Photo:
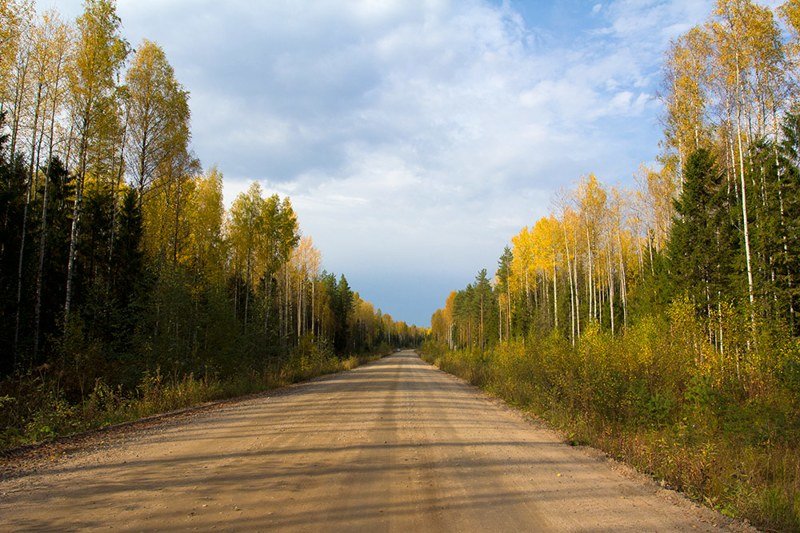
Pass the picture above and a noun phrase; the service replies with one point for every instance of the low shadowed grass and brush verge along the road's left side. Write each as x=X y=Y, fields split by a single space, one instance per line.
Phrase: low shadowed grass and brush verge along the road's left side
x=35 y=409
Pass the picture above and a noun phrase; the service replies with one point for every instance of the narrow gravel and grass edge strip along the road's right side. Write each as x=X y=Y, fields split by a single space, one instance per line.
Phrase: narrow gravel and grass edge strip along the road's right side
x=698 y=509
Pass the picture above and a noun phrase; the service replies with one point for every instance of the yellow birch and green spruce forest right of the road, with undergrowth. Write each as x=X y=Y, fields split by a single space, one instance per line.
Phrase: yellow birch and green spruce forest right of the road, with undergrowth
x=660 y=322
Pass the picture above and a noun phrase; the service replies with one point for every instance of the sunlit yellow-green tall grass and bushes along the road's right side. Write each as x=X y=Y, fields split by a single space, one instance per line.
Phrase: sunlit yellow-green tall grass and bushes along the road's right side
x=722 y=428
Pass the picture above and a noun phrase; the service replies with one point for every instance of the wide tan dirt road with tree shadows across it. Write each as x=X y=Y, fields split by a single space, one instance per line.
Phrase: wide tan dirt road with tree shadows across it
x=395 y=445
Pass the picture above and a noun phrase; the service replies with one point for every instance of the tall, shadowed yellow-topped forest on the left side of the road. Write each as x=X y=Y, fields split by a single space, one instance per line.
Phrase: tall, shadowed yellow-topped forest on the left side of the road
x=126 y=285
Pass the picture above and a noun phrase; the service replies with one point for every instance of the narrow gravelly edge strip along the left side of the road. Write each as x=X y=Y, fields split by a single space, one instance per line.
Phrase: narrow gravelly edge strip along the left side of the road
x=25 y=460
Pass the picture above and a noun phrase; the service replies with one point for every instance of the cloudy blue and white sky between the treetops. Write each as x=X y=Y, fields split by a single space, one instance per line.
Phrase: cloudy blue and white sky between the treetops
x=415 y=138
